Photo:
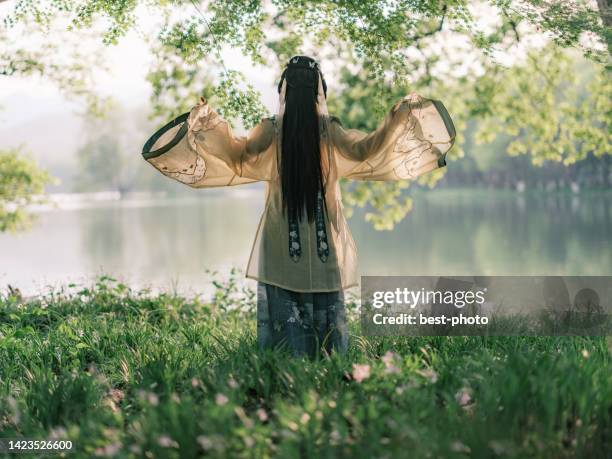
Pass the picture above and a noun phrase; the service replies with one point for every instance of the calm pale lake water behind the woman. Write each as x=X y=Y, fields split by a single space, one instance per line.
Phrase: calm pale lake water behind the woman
x=170 y=243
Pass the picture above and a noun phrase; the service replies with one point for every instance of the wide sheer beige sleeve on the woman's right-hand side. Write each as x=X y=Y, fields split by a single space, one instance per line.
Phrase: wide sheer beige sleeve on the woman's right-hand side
x=412 y=140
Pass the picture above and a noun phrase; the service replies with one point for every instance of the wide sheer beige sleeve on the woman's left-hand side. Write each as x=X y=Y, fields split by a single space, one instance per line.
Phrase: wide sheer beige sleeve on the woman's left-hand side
x=199 y=149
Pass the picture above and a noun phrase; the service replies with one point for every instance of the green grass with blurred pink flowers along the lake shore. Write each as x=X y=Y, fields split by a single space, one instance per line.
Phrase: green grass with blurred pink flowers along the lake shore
x=131 y=374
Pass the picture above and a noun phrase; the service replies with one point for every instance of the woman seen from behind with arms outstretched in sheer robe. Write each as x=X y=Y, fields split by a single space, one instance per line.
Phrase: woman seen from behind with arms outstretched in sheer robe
x=303 y=256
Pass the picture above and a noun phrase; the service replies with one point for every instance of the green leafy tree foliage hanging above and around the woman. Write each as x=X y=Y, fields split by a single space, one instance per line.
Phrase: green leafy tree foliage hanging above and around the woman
x=499 y=63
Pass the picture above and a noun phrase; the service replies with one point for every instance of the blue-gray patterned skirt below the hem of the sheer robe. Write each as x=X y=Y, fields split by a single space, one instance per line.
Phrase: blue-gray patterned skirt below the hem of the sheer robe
x=303 y=323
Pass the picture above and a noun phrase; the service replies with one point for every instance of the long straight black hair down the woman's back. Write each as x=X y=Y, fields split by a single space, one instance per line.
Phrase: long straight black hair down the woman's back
x=300 y=162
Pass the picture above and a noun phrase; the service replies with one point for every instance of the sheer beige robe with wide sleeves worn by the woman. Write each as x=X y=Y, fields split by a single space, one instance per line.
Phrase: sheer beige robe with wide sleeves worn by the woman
x=199 y=150
